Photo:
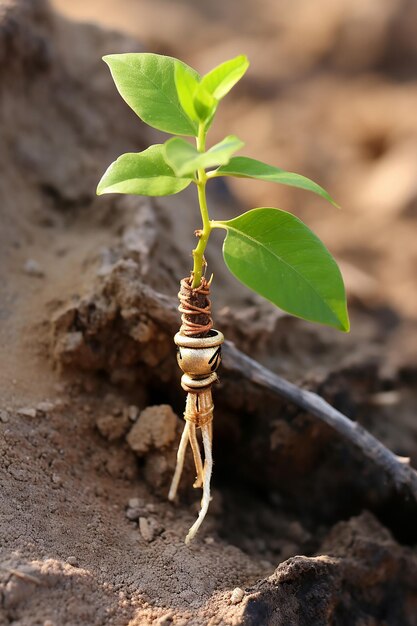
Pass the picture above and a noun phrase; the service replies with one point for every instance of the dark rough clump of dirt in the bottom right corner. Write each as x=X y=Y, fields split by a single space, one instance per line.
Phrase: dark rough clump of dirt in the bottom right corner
x=308 y=590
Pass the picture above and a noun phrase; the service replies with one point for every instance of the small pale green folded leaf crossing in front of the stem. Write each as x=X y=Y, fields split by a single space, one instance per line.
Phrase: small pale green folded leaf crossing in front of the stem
x=185 y=159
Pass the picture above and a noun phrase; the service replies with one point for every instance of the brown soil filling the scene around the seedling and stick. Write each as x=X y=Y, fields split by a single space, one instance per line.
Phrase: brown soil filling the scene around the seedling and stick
x=300 y=531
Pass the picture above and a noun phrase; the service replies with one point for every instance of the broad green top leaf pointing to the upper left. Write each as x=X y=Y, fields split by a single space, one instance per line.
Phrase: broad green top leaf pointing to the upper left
x=147 y=83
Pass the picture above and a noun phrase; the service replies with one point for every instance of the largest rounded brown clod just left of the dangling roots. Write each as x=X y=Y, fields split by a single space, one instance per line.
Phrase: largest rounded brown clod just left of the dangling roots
x=155 y=429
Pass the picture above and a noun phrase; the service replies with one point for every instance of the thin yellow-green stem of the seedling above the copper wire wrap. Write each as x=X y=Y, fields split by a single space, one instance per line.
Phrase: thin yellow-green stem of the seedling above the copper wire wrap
x=198 y=252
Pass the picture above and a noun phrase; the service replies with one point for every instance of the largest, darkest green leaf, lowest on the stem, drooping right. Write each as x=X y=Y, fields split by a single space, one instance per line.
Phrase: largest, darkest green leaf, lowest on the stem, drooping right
x=276 y=255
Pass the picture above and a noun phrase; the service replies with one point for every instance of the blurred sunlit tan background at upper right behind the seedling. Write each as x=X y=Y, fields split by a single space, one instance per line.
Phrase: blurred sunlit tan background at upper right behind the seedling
x=331 y=93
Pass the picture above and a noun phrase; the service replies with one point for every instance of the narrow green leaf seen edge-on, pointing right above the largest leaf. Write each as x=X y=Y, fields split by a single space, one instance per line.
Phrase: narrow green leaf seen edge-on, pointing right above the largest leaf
x=245 y=167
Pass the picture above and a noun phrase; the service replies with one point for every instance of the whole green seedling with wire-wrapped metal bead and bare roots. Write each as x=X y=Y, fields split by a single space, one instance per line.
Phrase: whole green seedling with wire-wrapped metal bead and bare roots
x=269 y=250
